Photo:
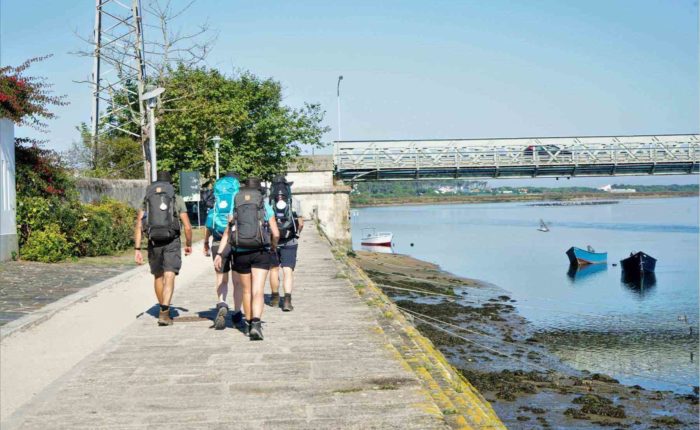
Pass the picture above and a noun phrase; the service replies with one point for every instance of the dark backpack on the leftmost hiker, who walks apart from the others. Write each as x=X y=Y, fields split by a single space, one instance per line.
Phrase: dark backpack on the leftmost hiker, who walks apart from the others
x=162 y=224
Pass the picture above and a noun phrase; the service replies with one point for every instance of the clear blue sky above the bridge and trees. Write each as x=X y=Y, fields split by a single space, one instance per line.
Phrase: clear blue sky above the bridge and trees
x=423 y=69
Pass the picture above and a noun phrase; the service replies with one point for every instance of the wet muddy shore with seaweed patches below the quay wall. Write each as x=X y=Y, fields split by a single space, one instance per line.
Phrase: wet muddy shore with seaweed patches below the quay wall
x=478 y=329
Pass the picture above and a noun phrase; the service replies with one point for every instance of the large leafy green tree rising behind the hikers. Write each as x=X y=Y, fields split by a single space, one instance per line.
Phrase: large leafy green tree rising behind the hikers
x=260 y=135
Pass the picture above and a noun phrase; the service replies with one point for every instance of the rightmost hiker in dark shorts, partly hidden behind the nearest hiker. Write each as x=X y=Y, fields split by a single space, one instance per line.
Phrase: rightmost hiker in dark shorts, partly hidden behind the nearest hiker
x=290 y=225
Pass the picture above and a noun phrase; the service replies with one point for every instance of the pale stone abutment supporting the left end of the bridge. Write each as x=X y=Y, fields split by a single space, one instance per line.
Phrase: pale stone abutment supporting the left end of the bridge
x=321 y=197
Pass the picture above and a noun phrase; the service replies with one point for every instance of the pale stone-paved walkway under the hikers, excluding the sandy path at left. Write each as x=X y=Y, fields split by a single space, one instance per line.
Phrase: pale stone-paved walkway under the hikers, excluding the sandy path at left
x=325 y=365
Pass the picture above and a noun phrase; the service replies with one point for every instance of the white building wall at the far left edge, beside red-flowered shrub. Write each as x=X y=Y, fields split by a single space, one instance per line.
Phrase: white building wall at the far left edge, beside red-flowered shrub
x=8 y=205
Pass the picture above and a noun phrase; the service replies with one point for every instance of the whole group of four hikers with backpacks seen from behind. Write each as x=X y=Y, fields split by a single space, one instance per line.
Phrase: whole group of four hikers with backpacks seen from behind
x=253 y=230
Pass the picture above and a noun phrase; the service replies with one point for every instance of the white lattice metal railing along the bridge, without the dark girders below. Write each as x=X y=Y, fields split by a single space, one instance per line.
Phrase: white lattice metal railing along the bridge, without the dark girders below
x=517 y=152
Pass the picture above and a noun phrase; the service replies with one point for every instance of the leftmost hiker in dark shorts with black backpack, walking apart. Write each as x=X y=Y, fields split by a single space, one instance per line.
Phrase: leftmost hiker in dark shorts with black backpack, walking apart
x=165 y=215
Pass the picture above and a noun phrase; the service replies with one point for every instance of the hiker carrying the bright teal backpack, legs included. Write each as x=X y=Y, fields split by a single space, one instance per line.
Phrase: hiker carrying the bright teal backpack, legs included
x=217 y=219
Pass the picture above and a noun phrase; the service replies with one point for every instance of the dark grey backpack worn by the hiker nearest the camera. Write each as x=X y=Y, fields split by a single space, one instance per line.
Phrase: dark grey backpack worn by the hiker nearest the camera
x=250 y=230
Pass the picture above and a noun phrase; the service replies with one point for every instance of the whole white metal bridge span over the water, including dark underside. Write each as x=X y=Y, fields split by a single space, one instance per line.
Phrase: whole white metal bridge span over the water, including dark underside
x=517 y=158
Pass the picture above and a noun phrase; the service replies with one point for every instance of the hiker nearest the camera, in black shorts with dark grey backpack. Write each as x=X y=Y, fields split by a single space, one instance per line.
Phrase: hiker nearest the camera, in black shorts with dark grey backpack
x=252 y=233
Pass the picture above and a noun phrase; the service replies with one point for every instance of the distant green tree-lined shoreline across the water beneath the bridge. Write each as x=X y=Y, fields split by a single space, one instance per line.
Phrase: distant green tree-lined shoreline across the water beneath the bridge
x=505 y=198
